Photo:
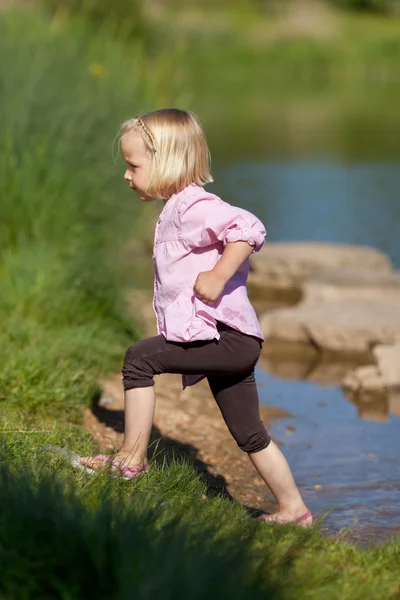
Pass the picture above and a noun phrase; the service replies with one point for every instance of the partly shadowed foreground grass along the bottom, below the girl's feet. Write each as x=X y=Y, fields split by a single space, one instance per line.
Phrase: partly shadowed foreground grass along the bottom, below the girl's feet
x=68 y=535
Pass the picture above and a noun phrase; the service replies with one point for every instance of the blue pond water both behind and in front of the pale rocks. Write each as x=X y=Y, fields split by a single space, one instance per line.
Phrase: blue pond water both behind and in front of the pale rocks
x=351 y=453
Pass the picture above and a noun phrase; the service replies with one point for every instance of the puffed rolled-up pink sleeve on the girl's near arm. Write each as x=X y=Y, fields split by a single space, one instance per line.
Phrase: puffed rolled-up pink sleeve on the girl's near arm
x=208 y=221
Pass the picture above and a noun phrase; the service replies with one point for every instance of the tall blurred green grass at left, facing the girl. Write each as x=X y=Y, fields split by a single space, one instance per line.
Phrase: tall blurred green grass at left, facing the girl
x=64 y=213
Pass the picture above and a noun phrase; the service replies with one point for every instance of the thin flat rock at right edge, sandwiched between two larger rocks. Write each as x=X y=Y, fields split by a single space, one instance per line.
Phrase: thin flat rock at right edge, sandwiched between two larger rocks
x=338 y=285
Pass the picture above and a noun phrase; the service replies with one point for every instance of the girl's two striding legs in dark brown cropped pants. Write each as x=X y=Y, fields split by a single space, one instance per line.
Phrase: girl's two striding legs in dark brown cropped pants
x=223 y=362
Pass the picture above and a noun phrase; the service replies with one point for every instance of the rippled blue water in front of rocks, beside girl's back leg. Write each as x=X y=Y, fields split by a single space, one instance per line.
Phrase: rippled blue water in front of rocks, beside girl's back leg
x=340 y=462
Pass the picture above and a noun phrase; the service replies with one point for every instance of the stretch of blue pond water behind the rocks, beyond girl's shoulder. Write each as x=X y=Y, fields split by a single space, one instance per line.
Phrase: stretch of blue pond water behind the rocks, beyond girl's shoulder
x=320 y=201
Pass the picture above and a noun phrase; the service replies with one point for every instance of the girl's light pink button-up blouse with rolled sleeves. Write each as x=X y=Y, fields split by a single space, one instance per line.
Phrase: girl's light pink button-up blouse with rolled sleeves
x=190 y=237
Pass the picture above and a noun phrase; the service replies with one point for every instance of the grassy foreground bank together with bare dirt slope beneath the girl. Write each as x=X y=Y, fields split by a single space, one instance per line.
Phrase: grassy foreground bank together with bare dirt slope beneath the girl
x=189 y=508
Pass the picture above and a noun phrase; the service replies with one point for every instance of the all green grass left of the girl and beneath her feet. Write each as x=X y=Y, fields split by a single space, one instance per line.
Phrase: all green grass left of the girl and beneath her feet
x=64 y=225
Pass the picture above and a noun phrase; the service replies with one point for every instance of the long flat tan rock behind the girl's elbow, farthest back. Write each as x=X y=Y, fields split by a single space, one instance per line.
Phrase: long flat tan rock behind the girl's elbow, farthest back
x=287 y=265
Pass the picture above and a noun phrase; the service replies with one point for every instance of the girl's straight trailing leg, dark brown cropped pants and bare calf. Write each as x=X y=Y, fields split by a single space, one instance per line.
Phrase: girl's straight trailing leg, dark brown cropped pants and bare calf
x=237 y=398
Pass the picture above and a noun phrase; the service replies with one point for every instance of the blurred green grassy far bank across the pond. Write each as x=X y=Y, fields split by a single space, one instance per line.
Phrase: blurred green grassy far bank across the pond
x=287 y=86
